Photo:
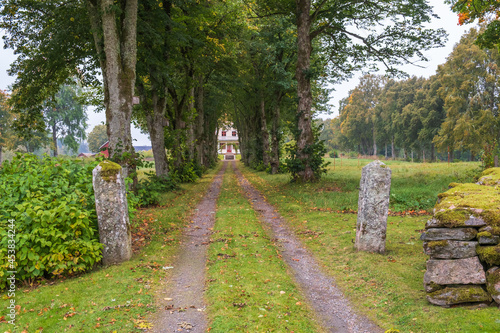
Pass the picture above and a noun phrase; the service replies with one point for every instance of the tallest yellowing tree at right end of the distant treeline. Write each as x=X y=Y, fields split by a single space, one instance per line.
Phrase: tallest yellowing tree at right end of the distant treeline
x=469 y=87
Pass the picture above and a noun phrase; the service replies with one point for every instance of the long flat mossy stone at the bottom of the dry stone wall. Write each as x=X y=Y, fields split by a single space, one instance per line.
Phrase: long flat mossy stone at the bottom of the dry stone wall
x=457 y=295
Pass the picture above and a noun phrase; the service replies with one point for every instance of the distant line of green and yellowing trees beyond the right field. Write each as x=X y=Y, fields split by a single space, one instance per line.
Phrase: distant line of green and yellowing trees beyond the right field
x=455 y=110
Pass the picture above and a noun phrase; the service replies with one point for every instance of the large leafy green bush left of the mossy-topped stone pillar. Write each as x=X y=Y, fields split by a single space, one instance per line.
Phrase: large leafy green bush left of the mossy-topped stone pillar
x=52 y=203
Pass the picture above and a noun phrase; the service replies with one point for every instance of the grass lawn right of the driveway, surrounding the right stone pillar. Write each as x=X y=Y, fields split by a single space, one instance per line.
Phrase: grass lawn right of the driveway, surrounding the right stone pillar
x=388 y=288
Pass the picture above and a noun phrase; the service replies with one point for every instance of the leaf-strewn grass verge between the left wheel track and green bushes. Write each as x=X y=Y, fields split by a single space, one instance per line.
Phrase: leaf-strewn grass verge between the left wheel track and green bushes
x=116 y=298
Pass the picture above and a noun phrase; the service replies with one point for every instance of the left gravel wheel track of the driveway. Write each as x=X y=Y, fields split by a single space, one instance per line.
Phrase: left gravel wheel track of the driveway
x=185 y=312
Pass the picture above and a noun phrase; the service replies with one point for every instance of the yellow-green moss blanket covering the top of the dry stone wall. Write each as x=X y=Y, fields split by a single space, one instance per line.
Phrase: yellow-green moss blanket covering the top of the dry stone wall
x=459 y=203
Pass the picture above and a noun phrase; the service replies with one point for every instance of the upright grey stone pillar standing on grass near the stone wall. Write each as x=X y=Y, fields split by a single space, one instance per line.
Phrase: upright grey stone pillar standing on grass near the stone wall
x=373 y=207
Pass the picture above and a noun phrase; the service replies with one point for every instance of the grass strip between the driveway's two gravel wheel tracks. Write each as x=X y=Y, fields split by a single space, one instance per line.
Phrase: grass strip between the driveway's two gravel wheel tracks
x=249 y=288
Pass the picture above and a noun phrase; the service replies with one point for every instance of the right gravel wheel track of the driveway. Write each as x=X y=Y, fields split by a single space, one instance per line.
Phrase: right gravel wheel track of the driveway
x=333 y=310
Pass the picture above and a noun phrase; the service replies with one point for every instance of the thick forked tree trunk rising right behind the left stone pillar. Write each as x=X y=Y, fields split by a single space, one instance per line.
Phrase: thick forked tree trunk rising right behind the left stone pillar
x=115 y=39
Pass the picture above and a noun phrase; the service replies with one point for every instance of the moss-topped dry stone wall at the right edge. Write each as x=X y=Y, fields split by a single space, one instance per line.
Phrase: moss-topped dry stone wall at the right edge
x=463 y=242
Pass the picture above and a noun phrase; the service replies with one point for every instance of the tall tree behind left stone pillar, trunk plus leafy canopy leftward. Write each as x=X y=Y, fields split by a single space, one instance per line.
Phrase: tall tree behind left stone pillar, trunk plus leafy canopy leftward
x=53 y=42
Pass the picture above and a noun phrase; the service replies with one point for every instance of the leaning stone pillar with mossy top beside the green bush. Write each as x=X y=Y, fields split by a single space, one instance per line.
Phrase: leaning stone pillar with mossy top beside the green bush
x=112 y=212
